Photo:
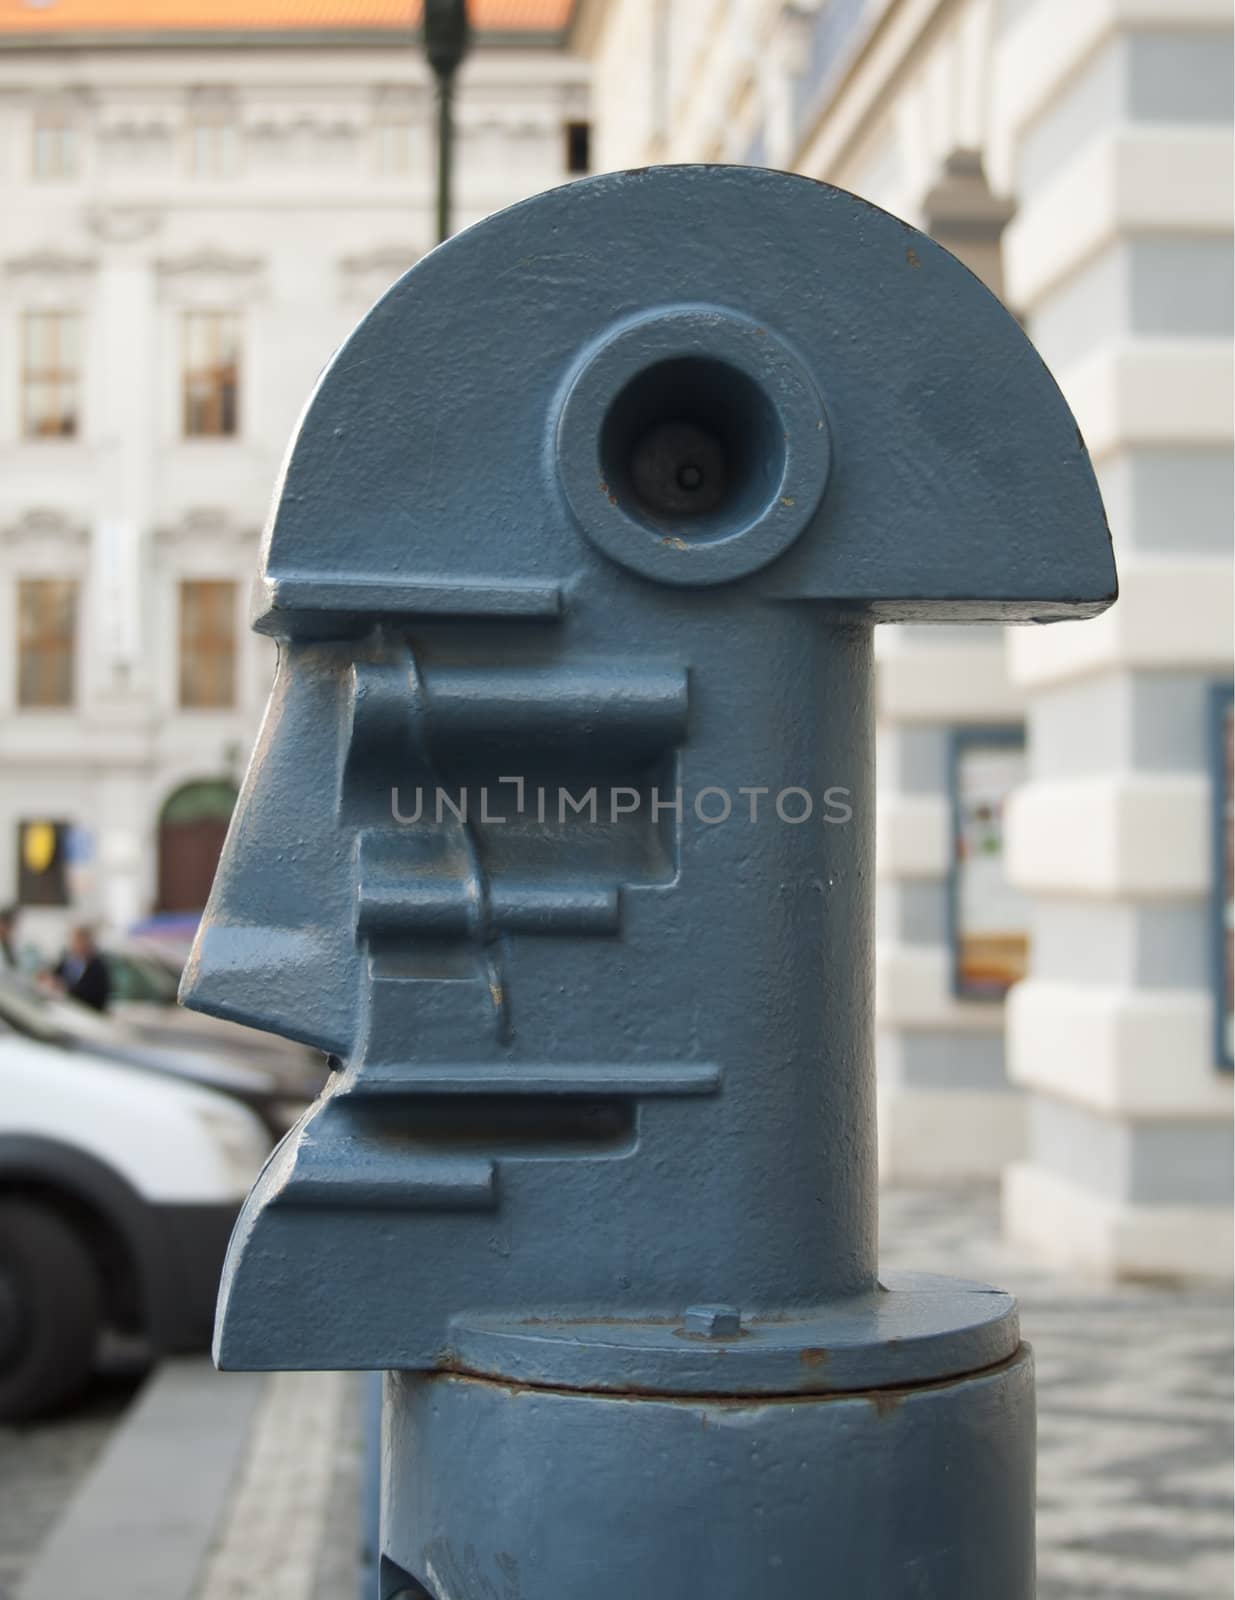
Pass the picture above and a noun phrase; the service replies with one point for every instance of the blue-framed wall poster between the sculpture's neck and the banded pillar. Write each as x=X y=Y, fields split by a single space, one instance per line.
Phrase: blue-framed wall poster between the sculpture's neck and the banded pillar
x=989 y=916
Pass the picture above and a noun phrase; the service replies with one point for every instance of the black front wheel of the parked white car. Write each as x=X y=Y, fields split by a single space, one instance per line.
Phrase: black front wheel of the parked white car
x=50 y=1311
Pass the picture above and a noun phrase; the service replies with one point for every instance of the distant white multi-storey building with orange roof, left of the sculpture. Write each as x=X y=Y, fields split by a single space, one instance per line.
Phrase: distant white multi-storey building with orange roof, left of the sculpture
x=199 y=201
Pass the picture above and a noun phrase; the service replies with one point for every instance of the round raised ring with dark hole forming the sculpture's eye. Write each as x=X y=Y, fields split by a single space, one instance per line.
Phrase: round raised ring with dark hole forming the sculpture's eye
x=693 y=447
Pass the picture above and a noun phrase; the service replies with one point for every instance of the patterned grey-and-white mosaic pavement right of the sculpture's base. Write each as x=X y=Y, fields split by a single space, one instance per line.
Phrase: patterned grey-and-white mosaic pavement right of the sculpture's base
x=1135 y=1410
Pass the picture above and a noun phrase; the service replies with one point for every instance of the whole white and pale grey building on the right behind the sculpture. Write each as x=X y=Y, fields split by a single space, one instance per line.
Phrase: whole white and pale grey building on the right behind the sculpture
x=1077 y=154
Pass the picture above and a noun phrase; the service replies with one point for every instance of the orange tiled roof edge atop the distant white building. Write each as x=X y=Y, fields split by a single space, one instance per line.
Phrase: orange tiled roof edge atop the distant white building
x=238 y=17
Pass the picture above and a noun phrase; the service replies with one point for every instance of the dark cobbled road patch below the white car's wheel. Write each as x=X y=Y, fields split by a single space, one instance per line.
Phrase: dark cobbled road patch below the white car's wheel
x=42 y=1465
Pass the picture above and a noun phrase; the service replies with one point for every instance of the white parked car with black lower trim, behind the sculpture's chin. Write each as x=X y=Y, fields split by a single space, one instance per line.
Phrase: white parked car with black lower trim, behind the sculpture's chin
x=119 y=1188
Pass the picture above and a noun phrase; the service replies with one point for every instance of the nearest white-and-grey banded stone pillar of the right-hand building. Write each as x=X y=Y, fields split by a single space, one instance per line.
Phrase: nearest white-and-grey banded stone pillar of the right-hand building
x=1114 y=127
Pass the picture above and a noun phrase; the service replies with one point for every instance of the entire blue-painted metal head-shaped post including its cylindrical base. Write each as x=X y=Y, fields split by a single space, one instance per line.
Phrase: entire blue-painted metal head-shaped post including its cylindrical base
x=559 y=836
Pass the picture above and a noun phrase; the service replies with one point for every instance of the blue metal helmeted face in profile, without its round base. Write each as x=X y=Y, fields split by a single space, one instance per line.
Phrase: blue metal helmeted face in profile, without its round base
x=604 y=500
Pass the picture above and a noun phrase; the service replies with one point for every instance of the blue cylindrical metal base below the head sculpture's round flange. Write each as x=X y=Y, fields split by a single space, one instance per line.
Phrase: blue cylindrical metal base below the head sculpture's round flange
x=495 y=1492
